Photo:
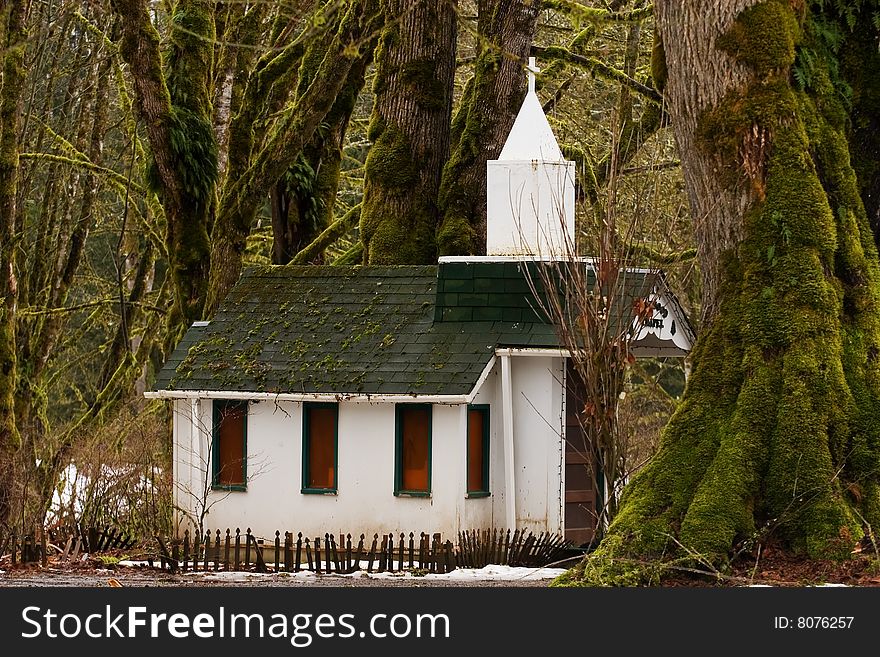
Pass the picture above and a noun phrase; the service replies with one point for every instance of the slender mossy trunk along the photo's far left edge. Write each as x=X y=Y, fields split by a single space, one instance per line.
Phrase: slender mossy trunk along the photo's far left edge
x=13 y=38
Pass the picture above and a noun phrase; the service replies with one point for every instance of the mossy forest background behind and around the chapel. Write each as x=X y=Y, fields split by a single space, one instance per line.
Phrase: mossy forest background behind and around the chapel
x=150 y=150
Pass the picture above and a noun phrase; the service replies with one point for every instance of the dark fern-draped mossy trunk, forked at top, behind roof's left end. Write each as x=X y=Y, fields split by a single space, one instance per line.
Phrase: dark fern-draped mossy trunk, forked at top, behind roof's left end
x=174 y=102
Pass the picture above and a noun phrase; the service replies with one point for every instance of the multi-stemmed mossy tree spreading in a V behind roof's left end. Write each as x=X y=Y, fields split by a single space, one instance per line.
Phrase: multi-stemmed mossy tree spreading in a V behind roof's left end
x=208 y=220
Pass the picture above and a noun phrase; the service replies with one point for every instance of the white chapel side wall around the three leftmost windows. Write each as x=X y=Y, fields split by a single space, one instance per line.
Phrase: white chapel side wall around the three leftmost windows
x=365 y=500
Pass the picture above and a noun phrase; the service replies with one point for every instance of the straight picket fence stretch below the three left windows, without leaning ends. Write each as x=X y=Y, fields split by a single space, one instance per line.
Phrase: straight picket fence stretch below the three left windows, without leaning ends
x=244 y=552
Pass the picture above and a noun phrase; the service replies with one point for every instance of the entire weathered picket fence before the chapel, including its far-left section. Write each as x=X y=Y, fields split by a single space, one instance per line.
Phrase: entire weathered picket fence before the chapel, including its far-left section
x=213 y=551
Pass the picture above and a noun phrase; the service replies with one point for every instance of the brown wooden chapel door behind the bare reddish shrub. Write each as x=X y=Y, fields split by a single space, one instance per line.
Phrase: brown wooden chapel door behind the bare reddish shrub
x=580 y=475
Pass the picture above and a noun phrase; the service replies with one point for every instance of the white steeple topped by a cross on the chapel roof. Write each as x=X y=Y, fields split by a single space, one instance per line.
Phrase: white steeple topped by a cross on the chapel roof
x=530 y=187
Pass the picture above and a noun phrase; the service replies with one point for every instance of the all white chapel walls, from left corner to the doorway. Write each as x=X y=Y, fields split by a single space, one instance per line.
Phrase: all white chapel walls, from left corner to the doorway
x=365 y=500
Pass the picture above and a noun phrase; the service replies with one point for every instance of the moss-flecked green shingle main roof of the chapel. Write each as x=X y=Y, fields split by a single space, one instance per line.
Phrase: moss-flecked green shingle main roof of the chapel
x=356 y=330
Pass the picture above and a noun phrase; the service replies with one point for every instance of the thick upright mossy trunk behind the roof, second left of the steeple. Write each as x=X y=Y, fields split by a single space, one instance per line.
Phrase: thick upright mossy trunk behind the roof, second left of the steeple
x=409 y=132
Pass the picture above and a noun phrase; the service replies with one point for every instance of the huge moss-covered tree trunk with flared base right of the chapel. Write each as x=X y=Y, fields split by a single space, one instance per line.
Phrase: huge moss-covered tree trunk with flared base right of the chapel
x=777 y=431
